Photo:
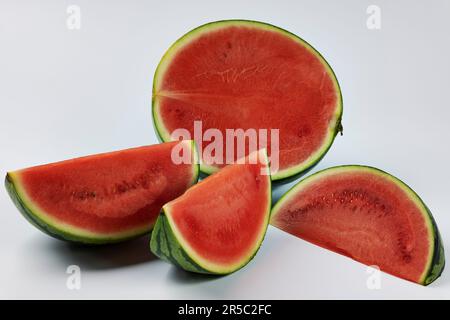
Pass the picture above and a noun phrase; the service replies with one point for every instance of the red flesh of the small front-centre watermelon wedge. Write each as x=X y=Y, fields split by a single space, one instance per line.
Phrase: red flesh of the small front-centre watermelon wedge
x=223 y=217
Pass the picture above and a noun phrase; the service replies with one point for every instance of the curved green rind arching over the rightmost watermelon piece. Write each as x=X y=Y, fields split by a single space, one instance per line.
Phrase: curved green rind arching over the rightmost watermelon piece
x=436 y=258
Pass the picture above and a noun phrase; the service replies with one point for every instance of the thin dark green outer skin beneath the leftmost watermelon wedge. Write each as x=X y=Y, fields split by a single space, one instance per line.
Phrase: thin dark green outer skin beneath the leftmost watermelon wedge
x=53 y=231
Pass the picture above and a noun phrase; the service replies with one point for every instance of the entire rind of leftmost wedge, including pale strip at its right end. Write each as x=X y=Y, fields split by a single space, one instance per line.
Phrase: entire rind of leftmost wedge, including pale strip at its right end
x=66 y=232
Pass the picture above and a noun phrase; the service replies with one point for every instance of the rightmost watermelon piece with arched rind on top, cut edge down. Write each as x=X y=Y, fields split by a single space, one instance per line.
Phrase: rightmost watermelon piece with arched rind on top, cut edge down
x=367 y=215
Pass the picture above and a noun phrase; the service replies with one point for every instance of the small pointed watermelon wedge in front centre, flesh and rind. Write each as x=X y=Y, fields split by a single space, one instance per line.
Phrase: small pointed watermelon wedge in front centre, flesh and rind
x=217 y=226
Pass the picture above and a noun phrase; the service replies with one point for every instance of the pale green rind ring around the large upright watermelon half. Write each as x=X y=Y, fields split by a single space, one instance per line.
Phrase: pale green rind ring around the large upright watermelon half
x=282 y=175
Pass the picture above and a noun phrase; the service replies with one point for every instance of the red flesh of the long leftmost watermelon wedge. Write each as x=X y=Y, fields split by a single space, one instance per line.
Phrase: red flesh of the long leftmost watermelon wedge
x=109 y=192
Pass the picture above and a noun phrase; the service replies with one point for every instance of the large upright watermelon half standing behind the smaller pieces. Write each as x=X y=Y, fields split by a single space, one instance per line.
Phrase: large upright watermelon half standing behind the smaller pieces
x=239 y=74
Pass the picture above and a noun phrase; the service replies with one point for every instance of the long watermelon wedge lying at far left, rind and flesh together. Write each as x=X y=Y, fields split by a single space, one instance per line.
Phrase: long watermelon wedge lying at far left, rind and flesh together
x=102 y=198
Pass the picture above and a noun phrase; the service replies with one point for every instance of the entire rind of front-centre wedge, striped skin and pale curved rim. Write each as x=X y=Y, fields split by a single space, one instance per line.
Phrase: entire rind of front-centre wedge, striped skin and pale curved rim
x=166 y=245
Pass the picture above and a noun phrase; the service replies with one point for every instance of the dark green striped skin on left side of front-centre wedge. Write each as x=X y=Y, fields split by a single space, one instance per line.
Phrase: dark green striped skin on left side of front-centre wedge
x=164 y=245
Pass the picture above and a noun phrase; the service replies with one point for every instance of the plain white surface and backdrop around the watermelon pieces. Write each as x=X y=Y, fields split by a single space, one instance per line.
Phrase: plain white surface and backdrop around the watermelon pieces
x=71 y=93
